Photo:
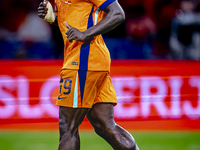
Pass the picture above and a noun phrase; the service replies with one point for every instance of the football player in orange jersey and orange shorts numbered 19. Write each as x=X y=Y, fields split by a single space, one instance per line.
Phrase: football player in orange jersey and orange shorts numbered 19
x=85 y=87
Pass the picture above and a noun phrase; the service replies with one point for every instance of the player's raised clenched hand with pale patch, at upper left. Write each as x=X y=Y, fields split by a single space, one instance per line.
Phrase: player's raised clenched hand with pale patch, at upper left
x=45 y=11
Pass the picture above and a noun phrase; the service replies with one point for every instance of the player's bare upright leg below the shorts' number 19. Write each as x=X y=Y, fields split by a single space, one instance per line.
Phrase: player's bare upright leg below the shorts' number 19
x=69 y=121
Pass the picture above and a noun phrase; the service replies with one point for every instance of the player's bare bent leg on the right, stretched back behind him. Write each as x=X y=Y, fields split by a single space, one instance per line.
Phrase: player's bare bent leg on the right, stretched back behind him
x=102 y=119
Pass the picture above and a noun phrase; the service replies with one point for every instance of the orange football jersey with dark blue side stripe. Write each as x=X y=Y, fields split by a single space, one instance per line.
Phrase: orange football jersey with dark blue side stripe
x=89 y=55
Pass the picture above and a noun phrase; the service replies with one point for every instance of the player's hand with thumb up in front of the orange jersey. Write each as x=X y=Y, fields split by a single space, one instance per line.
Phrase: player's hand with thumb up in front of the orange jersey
x=74 y=34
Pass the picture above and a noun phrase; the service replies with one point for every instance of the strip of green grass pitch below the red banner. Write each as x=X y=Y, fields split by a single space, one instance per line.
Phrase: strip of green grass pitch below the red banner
x=90 y=141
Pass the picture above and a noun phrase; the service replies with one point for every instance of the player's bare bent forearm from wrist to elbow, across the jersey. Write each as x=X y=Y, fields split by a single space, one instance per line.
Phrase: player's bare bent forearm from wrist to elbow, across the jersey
x=114 y=17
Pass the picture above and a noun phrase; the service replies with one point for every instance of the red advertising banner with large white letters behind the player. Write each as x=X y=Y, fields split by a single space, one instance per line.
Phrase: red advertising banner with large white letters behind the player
x=152 y=94
